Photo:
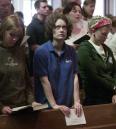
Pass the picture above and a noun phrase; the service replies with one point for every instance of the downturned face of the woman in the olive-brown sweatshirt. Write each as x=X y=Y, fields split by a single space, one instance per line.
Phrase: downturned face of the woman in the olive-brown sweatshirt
x=11 y=37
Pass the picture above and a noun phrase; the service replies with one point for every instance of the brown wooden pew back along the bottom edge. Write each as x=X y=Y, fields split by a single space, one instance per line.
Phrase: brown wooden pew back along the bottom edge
x=97 y=117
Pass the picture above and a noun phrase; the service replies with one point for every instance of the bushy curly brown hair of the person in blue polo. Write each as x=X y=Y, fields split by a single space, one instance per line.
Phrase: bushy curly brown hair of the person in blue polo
x=50 y=24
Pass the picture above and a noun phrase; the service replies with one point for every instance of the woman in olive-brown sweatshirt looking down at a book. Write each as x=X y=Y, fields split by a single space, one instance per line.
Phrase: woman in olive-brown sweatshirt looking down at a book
x=15 y=86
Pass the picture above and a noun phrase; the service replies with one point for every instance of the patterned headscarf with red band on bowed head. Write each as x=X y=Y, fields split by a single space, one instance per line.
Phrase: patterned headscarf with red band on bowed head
x=97 y=22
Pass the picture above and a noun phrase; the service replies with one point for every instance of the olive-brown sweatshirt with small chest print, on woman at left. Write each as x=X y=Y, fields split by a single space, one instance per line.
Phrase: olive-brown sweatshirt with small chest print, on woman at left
x=15 y=86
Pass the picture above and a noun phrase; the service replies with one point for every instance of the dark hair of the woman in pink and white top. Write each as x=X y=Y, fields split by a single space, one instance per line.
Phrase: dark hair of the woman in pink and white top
x=69 y=7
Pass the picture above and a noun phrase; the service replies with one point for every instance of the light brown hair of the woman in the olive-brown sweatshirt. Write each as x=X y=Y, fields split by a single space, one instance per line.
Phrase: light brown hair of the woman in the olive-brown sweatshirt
x=9 y=23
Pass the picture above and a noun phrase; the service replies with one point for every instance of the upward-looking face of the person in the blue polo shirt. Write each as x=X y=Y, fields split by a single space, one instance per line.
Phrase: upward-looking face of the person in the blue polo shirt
x=60 y=30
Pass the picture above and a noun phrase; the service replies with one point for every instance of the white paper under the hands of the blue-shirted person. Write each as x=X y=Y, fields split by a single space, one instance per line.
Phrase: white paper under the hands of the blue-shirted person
x=73 y=119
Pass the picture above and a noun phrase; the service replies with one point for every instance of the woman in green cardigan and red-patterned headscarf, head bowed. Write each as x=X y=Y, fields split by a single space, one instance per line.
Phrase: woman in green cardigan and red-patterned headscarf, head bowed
x=97 y=64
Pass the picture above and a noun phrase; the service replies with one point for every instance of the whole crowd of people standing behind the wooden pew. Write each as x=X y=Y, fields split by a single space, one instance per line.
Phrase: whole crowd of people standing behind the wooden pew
x=48 y=66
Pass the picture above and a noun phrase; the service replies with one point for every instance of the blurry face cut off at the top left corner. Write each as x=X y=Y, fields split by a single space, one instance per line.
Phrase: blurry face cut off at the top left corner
x=5 y=8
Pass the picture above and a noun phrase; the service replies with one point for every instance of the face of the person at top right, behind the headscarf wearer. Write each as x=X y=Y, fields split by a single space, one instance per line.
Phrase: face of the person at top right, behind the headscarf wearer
x=90 y=9
